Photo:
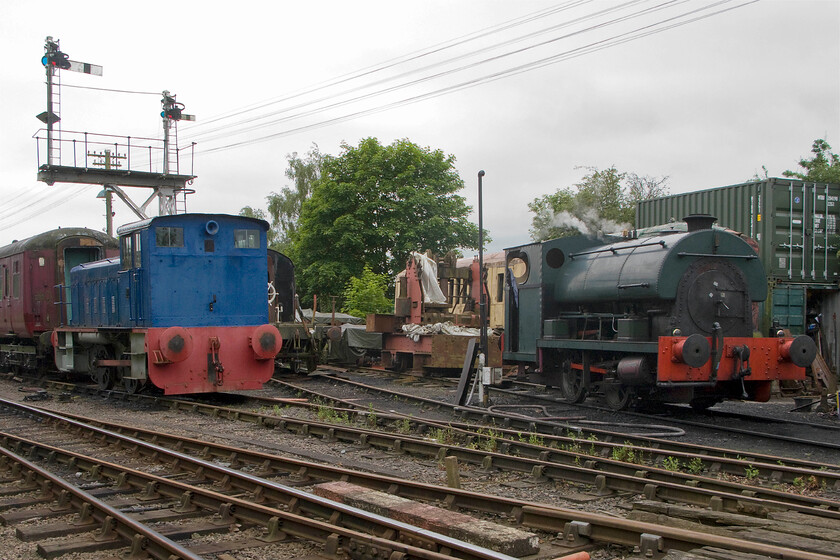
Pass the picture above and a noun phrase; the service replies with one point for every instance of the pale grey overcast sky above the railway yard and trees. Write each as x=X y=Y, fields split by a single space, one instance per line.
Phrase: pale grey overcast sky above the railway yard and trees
x=521 y=89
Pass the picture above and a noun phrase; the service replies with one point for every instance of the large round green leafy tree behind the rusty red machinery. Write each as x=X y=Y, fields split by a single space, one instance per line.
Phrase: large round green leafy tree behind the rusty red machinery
x=373 y=205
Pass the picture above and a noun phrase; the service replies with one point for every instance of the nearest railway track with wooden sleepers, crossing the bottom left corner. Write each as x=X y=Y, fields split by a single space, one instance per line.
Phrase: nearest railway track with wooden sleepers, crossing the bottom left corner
x=236 y=498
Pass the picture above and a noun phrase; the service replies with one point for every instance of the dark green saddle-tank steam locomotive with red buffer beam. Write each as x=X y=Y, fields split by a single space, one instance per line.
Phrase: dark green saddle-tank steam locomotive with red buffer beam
x=660 y=318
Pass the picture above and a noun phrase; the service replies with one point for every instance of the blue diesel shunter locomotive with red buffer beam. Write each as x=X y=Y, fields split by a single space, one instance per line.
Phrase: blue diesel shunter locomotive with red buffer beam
x=183 y=307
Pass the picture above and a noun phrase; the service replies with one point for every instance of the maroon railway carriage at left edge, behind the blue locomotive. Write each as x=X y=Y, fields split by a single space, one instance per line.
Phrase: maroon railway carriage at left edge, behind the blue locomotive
x=30 y=270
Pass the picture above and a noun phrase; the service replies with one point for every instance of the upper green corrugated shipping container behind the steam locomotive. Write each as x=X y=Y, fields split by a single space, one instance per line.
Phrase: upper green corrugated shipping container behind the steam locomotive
x=794 y=222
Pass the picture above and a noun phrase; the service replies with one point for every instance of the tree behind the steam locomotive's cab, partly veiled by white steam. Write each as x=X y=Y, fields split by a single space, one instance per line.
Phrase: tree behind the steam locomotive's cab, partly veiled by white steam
x=605 y=201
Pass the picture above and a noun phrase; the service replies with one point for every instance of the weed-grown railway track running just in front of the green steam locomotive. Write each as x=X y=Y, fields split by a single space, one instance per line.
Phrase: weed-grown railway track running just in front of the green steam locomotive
x=572 y=457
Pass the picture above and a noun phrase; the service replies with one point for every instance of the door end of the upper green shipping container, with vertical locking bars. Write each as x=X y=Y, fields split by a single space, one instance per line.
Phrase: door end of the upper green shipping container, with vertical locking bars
x=805 y=240
